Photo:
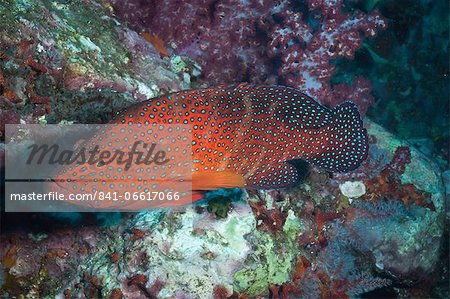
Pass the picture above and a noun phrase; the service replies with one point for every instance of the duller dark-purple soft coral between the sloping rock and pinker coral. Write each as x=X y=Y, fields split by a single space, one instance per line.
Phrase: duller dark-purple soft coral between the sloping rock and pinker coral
x=225 y=37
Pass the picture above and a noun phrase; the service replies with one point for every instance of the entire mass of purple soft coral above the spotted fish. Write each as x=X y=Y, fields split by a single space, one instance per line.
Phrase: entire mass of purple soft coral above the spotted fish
x=238 y=41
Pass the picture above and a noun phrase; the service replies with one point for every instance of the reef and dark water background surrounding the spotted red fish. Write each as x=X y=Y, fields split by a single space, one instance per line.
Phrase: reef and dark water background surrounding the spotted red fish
x=380 y=231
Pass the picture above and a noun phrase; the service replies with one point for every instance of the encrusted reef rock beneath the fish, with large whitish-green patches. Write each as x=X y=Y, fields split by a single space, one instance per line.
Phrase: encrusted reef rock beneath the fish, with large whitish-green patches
x=309 y=241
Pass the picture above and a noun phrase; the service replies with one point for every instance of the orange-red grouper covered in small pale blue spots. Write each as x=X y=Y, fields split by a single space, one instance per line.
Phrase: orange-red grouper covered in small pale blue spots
x=245 y=136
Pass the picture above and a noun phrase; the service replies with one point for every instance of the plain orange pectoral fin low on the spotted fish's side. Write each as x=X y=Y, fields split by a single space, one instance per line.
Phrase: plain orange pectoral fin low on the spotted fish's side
x=216 y=180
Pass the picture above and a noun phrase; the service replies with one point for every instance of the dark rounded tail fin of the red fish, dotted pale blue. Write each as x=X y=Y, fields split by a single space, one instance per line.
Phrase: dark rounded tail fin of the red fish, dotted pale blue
x=345 y=144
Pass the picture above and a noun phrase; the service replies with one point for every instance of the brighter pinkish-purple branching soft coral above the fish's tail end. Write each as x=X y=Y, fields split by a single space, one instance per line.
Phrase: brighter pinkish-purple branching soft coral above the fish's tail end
x=308 y=44
